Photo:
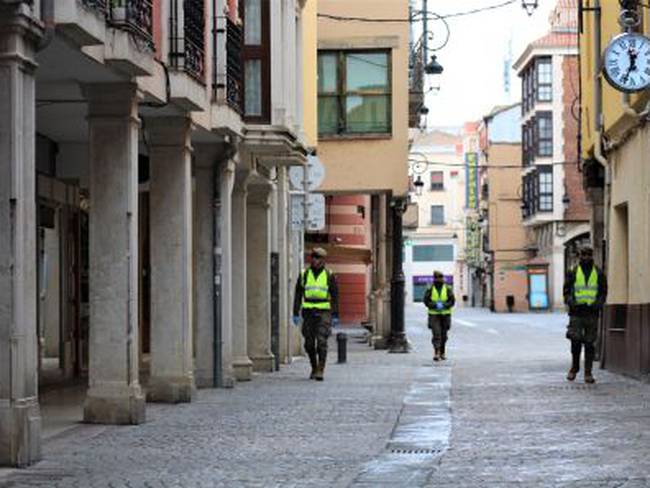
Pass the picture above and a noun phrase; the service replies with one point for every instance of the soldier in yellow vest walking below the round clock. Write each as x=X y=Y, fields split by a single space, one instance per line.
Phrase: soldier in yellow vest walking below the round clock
x=585 y=292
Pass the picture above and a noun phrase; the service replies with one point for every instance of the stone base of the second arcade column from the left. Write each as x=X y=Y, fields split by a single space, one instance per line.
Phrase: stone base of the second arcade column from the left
x=114 y=406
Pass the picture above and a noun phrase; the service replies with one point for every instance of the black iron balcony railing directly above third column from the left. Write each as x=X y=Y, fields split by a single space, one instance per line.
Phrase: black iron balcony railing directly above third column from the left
x=187 y=41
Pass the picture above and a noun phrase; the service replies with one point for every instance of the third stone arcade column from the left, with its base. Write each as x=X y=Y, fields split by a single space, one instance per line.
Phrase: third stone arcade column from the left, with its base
x=172 y=362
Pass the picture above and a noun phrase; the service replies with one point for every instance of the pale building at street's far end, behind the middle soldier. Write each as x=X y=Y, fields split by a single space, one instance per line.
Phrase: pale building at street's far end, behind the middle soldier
x=438 y=191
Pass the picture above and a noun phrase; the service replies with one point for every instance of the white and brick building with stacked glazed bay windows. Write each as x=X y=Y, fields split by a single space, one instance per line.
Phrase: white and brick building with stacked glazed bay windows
x=554 y=204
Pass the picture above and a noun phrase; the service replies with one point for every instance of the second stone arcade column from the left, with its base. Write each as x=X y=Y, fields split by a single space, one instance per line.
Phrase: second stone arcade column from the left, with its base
x=114 y=394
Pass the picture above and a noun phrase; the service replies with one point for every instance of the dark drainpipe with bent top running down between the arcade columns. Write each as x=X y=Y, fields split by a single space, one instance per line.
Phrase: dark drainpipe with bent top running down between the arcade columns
x=228 y=153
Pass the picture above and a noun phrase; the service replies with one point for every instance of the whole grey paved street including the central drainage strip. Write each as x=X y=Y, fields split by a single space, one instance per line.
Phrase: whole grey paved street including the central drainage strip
x=498 y=413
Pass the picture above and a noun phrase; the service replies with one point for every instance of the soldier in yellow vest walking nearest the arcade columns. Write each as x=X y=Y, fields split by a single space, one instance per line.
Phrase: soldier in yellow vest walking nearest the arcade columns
x=317 y=295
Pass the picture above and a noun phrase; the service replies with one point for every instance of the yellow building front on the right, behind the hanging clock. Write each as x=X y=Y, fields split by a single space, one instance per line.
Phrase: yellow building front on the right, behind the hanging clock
x=615 y=159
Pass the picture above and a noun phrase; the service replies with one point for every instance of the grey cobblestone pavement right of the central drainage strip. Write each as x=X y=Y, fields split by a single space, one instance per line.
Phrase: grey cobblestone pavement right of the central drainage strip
x=518 y=422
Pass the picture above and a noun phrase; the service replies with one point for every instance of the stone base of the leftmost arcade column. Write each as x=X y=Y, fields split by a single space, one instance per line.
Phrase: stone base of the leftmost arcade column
x=20 y=433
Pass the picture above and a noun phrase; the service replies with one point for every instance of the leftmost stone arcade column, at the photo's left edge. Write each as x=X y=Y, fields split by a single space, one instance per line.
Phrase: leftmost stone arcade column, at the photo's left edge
x=20 y=419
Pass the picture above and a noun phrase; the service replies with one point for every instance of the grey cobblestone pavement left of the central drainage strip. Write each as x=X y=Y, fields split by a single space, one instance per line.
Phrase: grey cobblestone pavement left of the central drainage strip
x=278 y=430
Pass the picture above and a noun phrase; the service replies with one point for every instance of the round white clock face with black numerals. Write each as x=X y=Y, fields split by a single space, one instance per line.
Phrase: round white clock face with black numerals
x=627 y=62
